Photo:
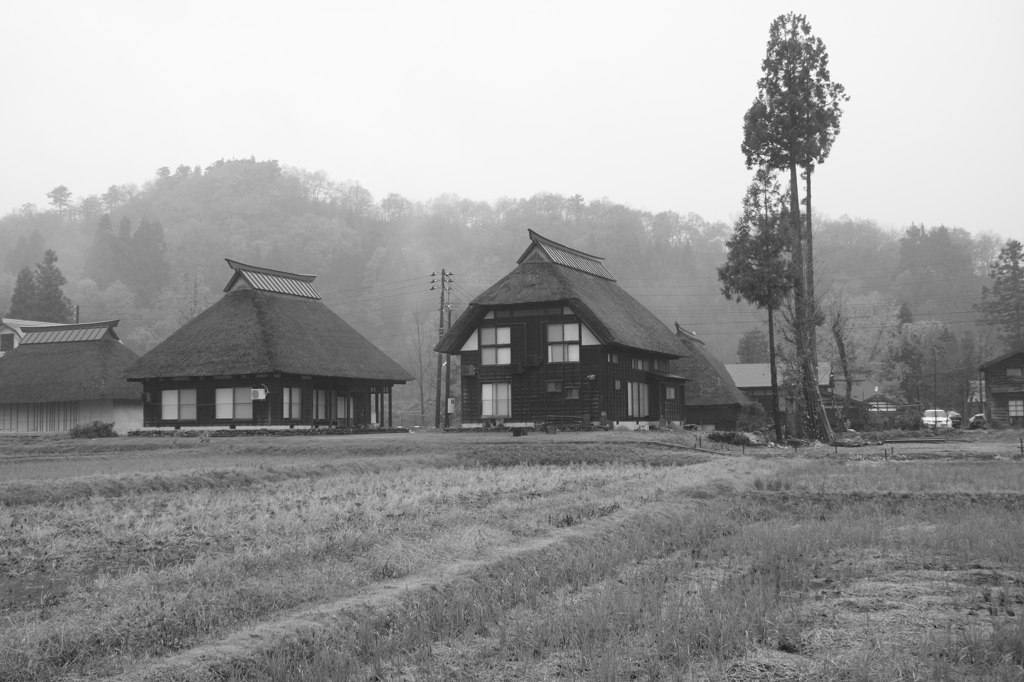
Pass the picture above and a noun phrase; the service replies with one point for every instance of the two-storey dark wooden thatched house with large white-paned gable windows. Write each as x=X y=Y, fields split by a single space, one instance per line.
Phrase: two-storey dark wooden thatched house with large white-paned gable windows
x=558 y=342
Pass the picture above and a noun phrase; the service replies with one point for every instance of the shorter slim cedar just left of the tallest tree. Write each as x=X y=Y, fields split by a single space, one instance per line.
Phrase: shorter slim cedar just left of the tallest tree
x=757 y=268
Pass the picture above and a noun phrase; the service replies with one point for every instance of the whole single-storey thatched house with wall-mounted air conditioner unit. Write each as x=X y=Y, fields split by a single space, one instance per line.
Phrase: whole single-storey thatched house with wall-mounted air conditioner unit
x=268 y=355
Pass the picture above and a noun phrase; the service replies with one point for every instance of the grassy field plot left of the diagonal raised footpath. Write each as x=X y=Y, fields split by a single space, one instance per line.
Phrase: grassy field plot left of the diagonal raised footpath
x=177 y=570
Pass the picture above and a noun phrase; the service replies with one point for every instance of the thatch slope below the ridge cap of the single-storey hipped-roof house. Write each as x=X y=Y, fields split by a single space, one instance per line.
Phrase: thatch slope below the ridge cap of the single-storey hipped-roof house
x=257 y=332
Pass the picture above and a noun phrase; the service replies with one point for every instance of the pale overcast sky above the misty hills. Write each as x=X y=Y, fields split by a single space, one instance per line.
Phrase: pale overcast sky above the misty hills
x=641 y=103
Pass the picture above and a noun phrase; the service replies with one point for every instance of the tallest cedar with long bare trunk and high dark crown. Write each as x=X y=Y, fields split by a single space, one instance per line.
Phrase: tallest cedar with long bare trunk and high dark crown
x=793 y=123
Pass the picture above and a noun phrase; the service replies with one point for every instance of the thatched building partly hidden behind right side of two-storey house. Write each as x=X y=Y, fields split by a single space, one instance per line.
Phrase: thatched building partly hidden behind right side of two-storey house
x=713 y=402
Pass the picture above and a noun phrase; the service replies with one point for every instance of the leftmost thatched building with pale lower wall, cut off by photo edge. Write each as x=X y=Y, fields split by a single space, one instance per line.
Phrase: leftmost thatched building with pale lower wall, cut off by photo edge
x=62 y=376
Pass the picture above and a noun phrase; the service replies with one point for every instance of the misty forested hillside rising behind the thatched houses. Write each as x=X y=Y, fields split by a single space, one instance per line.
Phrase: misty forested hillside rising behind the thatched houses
x=154 y=257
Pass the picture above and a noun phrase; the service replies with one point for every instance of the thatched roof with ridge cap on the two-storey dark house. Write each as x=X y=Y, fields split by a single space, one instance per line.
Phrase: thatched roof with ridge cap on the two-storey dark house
x=550 y=273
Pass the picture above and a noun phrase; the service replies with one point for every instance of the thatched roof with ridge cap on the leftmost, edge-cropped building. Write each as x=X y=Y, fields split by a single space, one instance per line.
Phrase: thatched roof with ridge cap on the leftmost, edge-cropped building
x=54 y=371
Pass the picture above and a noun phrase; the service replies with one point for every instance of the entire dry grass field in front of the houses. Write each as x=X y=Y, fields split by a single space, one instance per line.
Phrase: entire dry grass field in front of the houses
x=573 y=557
